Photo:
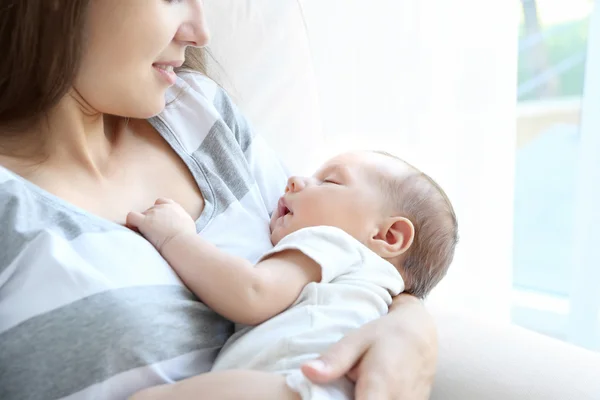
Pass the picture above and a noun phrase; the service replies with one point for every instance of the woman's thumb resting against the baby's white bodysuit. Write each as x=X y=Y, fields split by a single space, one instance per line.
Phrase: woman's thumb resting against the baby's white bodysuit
x=339 y=360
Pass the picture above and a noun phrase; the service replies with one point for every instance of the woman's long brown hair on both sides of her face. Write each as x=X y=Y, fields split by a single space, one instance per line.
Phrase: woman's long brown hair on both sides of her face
x=41 y=42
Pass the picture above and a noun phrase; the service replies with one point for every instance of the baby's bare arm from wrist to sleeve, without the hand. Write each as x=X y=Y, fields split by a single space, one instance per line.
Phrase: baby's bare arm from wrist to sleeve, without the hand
x=234 y=287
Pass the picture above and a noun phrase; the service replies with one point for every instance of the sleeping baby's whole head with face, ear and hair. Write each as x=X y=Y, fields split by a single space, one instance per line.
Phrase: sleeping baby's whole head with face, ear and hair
x=391 y=207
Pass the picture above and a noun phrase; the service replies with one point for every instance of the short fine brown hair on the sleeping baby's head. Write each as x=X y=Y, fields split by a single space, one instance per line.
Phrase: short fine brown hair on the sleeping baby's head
x=420 y=199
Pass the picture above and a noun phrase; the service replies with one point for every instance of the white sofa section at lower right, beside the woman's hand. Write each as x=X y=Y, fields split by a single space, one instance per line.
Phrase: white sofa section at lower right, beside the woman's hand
x=484 y=360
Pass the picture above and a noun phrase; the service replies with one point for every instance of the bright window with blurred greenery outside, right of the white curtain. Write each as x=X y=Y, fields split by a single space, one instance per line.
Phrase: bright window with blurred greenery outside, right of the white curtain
x=556 y=283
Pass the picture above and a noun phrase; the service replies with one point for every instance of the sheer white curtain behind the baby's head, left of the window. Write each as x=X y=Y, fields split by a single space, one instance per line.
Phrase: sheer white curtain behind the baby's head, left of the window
x=433 y=81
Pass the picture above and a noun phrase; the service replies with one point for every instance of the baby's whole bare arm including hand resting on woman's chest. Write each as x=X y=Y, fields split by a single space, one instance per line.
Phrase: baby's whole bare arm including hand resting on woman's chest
x=232 y=286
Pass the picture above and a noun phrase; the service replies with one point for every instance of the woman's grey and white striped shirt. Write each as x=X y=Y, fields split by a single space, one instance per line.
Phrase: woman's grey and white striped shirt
x=89 y=309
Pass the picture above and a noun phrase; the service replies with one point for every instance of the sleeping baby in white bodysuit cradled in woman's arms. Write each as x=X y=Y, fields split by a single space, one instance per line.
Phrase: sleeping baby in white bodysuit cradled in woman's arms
x=364 y=228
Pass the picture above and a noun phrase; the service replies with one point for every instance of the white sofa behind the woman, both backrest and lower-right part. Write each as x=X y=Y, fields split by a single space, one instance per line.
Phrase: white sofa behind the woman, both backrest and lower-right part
x=266 y=62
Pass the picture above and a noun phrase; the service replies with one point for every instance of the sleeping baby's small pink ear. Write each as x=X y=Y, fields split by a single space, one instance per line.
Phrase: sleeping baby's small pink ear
x=394 y=237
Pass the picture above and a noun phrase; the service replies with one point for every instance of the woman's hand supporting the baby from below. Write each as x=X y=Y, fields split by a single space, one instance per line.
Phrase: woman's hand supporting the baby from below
x=391 y=358
